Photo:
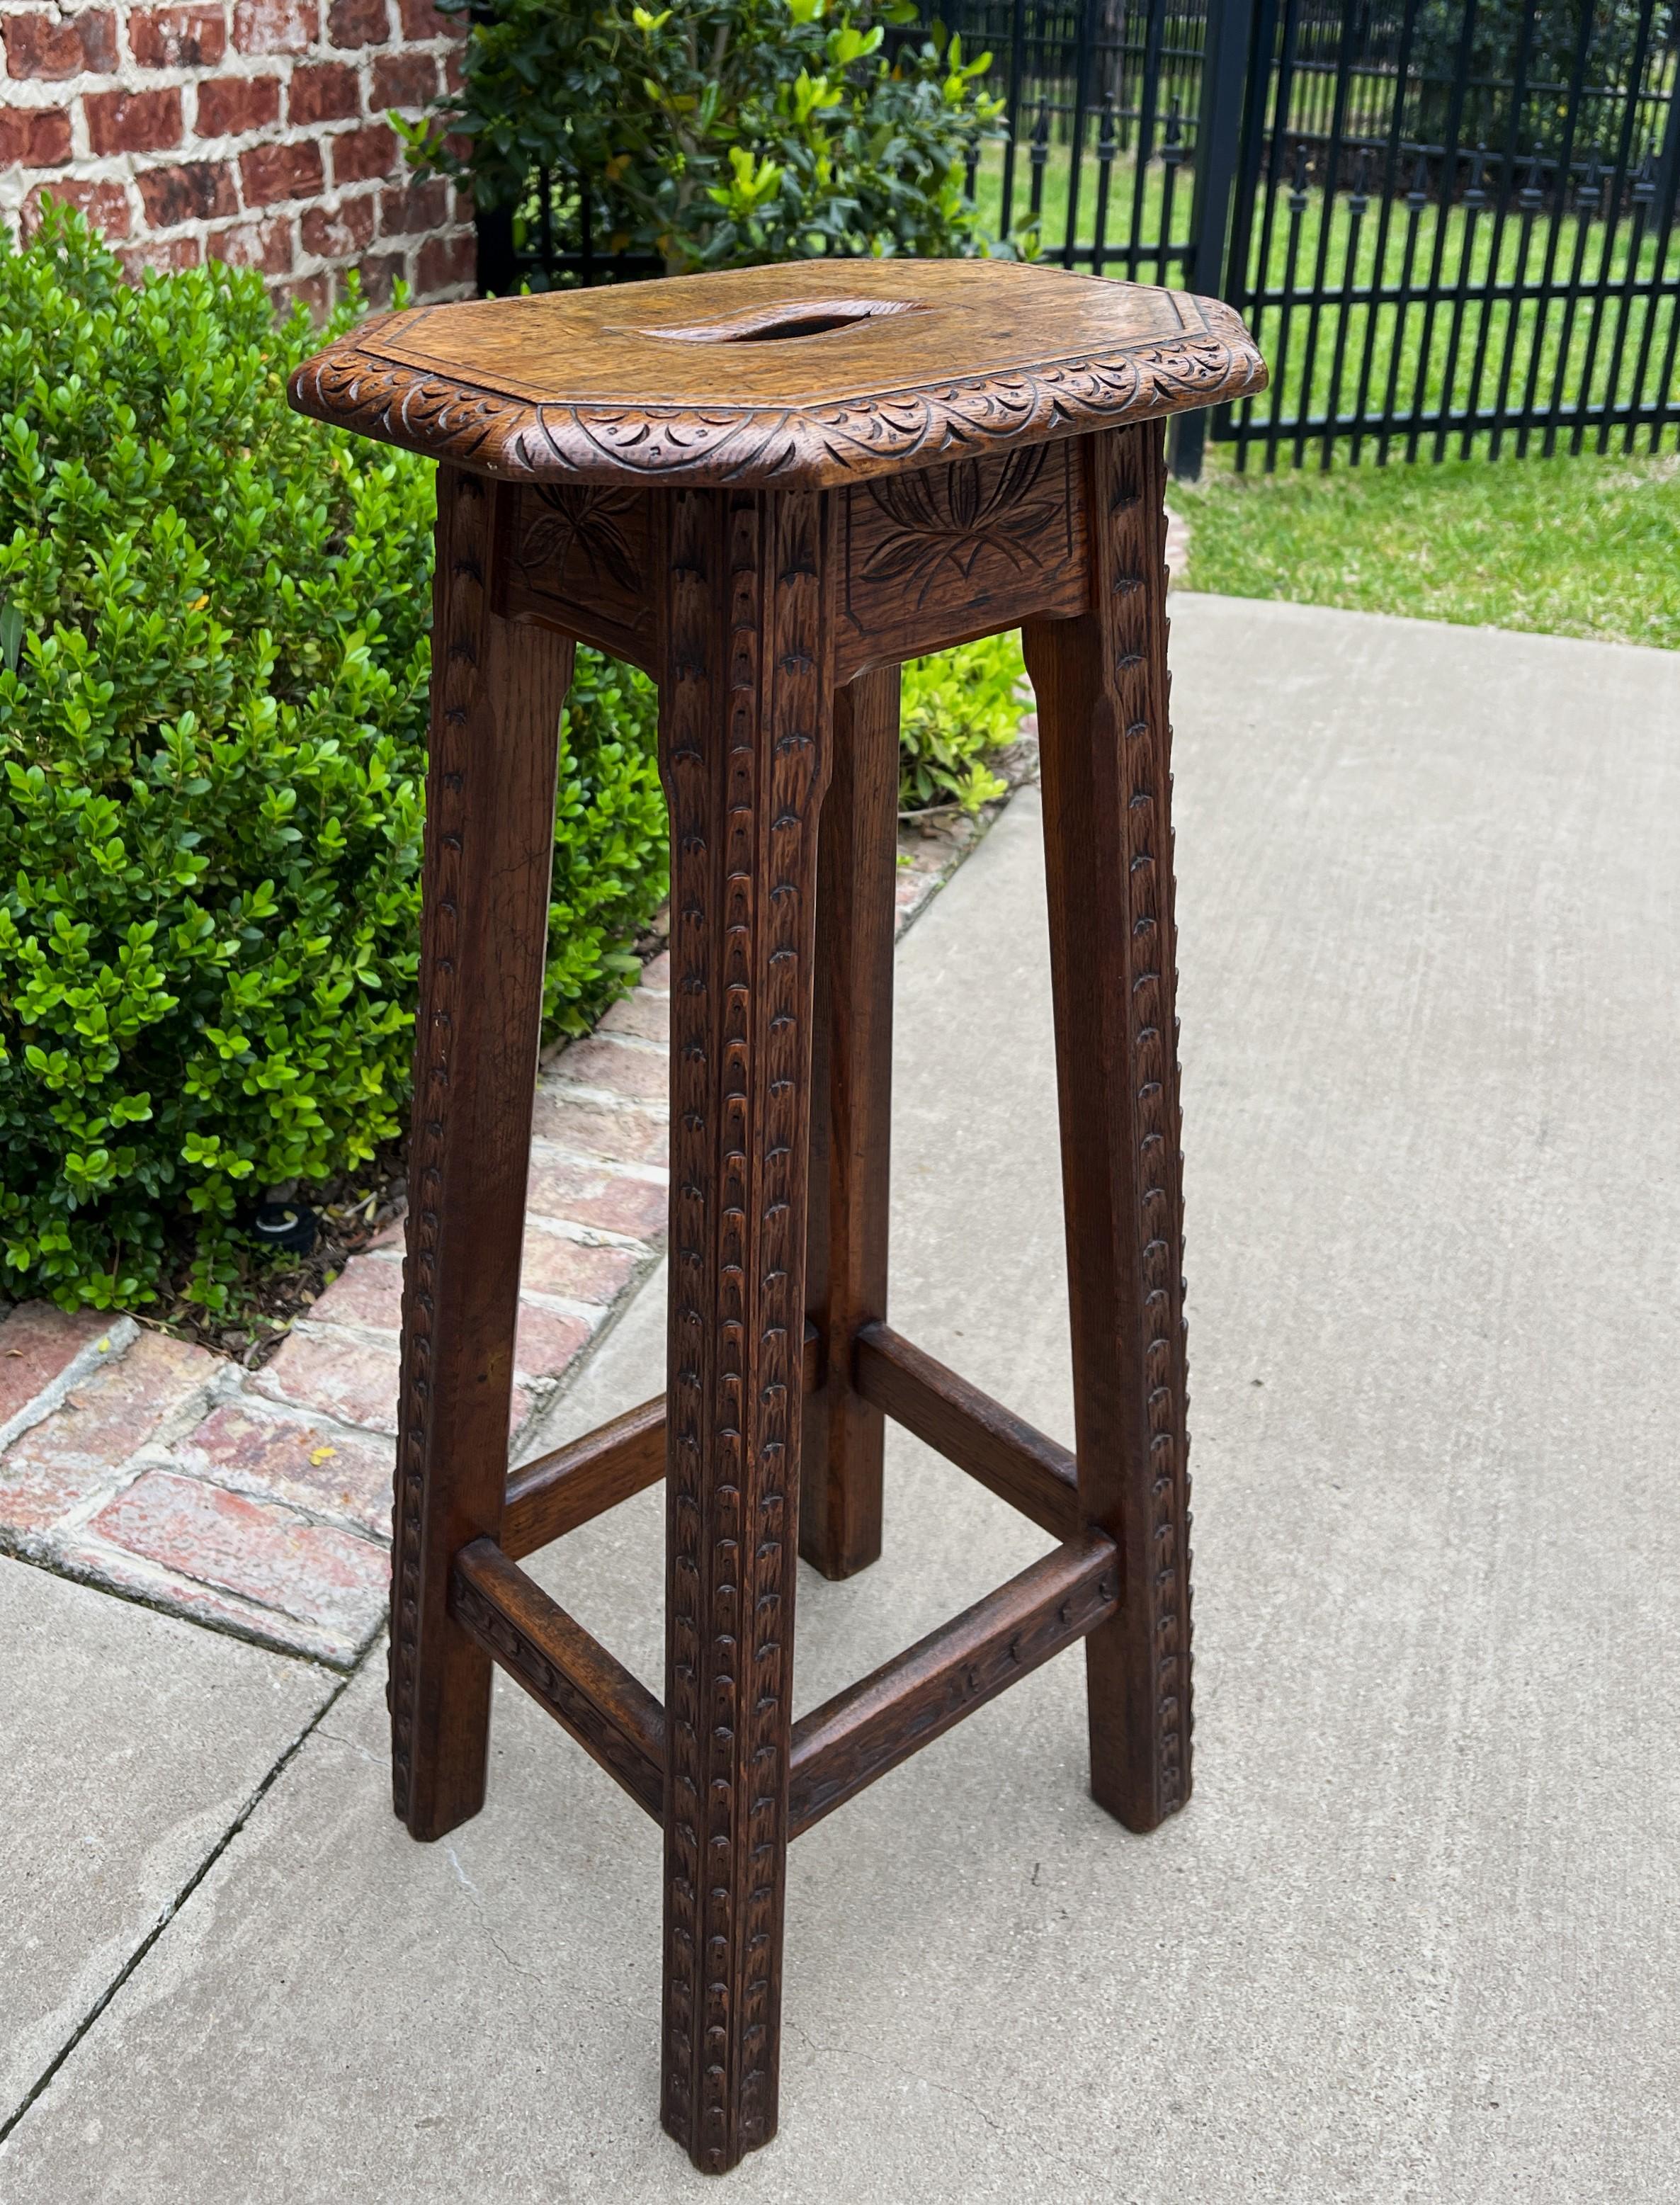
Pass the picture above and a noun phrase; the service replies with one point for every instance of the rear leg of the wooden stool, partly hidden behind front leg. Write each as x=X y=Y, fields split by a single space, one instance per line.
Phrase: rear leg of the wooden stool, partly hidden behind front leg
x=852 y=1106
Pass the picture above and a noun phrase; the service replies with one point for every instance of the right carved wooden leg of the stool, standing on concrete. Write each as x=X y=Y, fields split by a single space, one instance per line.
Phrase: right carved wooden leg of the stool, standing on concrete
x=1106 y=746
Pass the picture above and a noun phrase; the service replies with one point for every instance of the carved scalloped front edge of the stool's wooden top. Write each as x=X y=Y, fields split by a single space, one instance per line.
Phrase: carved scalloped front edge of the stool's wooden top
x=808 y=442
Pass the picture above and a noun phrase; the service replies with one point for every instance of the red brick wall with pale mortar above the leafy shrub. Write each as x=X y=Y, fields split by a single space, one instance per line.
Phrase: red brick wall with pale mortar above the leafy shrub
x=248 y=131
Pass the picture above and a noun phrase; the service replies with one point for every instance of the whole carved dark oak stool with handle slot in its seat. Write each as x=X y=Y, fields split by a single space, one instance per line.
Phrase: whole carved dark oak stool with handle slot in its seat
x=771 y=488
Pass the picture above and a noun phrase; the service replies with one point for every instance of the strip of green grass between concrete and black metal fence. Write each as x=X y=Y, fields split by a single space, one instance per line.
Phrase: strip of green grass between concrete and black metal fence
x=1555 y=546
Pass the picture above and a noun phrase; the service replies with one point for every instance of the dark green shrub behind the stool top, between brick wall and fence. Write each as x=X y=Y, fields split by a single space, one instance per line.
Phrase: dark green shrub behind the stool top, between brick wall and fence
x=720 y=133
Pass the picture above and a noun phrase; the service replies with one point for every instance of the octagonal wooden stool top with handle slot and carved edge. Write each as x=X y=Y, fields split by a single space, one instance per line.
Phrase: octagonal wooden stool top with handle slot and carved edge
x=810 y=374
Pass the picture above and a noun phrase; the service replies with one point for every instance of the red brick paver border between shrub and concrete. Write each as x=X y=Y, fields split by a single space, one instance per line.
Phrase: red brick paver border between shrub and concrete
x=259 y=1503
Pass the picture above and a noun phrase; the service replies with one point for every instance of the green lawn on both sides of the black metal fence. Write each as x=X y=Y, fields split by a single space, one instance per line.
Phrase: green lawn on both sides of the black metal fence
x=1564 y=546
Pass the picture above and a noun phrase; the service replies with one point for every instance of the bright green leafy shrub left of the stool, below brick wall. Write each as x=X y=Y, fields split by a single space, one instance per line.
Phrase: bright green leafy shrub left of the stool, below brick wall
x=213 y=709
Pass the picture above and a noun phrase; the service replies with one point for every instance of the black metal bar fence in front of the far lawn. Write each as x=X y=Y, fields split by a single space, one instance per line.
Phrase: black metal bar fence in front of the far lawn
x=1450 y=224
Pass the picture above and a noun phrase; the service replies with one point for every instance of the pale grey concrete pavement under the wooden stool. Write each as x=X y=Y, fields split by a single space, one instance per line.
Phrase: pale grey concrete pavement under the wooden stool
x=1417 y=1935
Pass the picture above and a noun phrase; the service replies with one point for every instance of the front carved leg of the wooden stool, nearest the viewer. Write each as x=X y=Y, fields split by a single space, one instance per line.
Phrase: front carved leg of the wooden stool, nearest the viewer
x=744 y=751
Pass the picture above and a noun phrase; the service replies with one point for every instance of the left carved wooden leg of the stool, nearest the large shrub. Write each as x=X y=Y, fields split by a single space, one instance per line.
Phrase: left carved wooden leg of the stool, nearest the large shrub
x=491 y=786
